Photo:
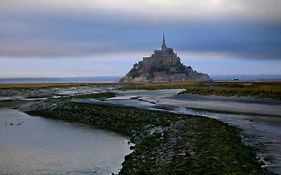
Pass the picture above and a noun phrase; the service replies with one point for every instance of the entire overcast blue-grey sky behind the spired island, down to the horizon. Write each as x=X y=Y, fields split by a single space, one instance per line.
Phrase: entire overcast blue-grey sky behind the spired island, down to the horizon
x=51 y=38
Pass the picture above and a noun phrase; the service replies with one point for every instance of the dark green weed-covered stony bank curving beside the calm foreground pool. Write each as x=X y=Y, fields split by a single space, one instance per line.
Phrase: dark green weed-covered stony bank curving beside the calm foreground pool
x=165 y=143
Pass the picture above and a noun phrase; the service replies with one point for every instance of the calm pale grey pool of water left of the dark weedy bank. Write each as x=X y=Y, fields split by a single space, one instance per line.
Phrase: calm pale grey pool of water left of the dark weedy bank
x=34 y=145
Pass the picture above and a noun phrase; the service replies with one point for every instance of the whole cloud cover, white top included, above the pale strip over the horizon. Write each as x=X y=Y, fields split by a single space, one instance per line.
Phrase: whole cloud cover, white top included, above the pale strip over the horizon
x=233 y=28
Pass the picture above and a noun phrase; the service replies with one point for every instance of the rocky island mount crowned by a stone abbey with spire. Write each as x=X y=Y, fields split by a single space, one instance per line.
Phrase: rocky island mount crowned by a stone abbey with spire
x=162 y=66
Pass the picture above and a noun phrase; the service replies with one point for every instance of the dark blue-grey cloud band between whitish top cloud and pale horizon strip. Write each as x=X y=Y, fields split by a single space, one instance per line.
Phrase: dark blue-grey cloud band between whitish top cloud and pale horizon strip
x=58 y=35
